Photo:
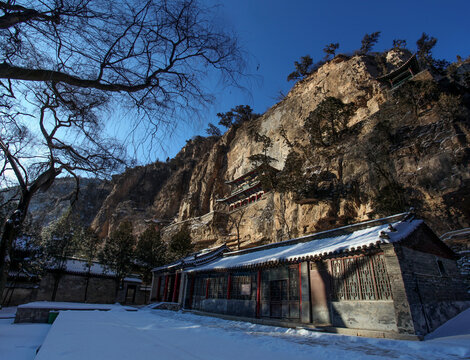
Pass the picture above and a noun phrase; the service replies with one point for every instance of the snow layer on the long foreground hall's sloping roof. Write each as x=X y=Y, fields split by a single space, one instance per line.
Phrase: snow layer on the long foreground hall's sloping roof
x=383 y=233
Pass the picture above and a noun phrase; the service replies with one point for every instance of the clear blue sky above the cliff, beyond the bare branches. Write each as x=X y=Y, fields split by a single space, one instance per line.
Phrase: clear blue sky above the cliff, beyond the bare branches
x=275 y=33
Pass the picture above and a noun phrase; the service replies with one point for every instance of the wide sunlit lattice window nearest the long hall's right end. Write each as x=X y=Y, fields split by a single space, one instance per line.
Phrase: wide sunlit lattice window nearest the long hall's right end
x=360 y=278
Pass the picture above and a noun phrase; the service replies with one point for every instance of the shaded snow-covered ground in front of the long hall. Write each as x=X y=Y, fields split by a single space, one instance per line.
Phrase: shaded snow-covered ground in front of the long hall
x=160 y=334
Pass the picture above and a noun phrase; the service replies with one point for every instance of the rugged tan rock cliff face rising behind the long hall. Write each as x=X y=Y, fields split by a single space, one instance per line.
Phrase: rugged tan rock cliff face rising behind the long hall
x=390 y=156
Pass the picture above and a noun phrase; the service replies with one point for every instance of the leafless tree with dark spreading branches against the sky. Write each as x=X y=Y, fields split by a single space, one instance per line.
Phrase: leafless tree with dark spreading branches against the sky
x=67 y=63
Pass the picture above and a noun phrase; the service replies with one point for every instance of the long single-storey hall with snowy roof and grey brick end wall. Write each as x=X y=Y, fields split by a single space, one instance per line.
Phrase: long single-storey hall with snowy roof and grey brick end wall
x=391 y=277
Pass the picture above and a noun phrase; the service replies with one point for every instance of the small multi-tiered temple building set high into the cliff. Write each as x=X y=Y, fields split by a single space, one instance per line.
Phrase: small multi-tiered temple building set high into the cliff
x=246 y=189
